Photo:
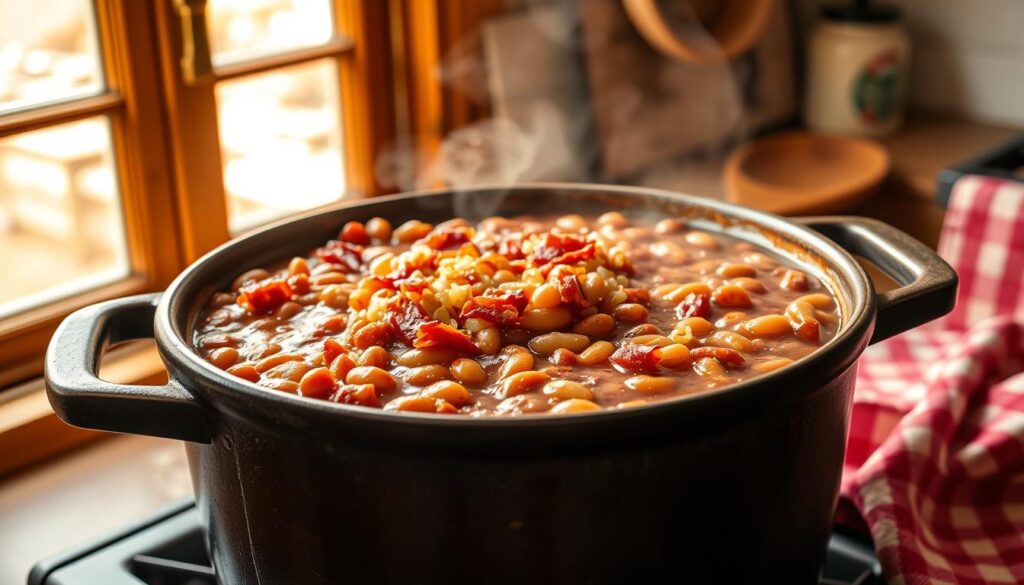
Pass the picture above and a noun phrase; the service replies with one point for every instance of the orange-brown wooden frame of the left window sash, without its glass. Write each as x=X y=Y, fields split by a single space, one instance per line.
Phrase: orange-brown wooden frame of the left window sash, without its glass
x=131 y=102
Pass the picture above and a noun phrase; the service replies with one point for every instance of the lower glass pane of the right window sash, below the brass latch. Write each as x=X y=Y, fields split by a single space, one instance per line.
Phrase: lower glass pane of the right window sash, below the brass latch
x=281 y=141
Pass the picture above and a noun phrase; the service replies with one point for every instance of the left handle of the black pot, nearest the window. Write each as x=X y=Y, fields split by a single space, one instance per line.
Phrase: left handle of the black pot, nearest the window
x=81 y=399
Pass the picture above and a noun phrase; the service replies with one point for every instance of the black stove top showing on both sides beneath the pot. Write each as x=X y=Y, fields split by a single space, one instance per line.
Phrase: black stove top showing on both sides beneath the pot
x=168 y=550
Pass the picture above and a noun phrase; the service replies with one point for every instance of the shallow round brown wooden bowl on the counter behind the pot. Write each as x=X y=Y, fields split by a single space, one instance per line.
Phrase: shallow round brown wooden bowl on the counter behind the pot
x=798 y=174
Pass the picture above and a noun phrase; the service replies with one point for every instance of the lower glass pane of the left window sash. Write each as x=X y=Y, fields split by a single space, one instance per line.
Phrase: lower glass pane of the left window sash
x=61 y=224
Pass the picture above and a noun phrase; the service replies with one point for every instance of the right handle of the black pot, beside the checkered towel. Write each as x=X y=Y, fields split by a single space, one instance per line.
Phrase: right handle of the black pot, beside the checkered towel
x=928 y=284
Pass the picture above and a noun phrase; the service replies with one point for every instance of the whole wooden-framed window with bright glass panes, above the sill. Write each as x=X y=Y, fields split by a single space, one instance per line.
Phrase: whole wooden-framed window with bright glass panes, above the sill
x=118 y=117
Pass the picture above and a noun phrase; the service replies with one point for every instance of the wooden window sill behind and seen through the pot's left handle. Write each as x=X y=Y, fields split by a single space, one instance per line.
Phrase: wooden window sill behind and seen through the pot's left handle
x=31 y=433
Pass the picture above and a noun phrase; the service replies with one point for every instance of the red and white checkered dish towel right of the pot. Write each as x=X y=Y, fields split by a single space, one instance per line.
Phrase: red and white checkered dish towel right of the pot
x=935 y=461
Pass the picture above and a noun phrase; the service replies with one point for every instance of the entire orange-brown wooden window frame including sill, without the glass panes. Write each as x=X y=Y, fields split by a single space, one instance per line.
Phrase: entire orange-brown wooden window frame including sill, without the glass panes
x=165 y=159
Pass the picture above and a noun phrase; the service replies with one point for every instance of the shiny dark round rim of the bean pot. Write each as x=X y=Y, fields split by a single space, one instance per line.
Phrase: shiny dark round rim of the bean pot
x=834 y=357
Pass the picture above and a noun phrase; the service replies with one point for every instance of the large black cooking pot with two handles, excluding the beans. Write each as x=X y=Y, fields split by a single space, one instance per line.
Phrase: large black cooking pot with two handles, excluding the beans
x=729 y=487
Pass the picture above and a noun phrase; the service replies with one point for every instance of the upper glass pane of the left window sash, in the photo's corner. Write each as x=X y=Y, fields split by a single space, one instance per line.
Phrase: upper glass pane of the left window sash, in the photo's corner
x=48 y=55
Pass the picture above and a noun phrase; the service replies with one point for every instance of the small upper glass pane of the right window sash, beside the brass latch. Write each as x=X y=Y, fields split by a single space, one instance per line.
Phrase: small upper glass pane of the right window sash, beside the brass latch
x=246 y=29
